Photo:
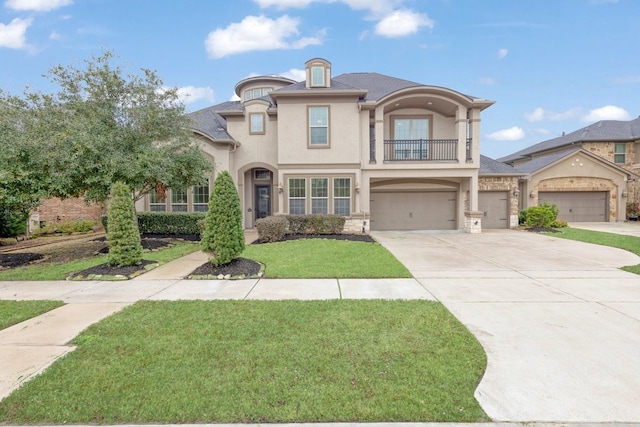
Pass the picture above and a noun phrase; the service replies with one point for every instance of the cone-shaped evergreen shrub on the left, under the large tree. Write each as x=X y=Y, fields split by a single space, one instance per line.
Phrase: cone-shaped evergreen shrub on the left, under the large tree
x=123 y=236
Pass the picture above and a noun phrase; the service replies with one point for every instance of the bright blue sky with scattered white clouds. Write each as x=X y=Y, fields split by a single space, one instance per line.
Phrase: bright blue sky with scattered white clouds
x=550 y=65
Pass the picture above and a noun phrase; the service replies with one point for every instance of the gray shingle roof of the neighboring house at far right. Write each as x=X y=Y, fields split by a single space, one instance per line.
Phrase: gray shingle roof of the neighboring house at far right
x=604 y=130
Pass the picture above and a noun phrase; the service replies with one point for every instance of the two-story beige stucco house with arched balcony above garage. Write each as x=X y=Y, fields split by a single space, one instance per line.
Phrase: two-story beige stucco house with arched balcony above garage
x=386 y=153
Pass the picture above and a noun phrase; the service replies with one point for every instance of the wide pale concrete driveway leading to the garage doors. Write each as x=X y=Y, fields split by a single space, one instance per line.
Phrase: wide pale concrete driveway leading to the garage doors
x=560 y=323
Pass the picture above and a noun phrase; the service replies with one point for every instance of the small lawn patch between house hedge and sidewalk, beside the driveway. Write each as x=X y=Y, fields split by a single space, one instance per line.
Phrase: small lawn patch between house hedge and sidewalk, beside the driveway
x=326 y=258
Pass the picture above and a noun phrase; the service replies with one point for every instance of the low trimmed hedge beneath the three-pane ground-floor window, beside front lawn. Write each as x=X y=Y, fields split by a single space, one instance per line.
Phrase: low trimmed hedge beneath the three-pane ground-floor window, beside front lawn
x=274 y=228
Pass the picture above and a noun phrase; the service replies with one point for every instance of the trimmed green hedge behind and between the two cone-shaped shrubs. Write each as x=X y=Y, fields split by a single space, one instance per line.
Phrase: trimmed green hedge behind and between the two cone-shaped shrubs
x=168 y=222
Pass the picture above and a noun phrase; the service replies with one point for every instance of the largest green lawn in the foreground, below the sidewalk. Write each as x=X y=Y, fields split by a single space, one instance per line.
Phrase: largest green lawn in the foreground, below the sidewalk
x=261 y=362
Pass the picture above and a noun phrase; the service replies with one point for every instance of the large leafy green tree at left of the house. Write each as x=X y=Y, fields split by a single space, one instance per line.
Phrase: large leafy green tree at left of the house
x=100 y=127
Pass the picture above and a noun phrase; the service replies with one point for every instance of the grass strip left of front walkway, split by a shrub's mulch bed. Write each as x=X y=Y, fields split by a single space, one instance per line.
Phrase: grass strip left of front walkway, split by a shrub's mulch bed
x=62 y=270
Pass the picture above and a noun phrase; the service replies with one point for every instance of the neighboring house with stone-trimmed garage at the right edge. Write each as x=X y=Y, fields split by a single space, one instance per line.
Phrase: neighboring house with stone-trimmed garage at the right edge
x=590 y=174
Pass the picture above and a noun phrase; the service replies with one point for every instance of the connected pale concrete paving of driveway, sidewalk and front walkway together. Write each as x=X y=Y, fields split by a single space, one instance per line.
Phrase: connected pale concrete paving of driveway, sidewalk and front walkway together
x=560 y=323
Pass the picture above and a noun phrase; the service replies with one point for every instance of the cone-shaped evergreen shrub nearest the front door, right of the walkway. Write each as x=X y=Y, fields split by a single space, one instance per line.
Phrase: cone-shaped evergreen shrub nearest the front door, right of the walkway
x=223 y=234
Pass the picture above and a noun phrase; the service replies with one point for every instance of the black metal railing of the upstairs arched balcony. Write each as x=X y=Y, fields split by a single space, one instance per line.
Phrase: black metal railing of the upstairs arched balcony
x=422 y=150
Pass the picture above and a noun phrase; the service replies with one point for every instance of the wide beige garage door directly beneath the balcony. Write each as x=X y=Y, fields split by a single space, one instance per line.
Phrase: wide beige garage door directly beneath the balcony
x=432 y=210
